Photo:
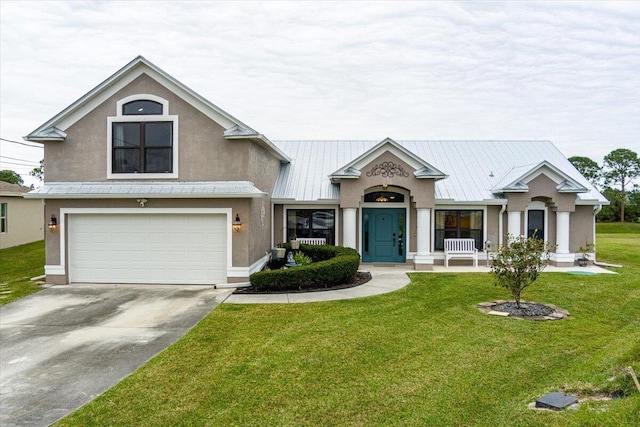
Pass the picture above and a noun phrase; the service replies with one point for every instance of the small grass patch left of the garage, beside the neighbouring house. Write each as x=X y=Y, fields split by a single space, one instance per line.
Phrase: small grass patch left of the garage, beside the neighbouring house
x=17 y=265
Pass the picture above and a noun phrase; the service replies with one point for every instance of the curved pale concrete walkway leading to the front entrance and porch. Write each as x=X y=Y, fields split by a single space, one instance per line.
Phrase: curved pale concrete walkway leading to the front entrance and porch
x=383 y=280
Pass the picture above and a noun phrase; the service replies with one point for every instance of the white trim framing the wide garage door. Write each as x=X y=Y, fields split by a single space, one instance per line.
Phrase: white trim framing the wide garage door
x=61 y=268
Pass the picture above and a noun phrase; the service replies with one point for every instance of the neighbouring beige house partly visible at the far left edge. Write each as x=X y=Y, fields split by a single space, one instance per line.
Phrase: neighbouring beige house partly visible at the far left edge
x=21 y=221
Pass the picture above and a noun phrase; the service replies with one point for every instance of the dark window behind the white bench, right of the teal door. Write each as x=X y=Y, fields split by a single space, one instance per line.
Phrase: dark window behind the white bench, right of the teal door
x=458 y=224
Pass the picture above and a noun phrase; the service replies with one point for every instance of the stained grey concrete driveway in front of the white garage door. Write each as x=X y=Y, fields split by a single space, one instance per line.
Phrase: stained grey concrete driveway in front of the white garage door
x=65 y=345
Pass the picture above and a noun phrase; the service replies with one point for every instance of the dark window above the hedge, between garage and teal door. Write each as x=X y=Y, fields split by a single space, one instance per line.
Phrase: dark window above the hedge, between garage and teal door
x=311 y=223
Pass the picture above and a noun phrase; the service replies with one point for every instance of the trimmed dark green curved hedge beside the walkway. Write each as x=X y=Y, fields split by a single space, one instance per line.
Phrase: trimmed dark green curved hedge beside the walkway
x=332 y=265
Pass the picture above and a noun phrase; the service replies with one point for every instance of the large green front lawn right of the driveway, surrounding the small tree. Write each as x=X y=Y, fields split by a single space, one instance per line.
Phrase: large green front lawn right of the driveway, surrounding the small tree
x=423 y=355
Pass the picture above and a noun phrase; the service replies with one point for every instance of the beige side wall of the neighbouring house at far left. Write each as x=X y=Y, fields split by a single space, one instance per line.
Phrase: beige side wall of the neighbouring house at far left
x=25 y=221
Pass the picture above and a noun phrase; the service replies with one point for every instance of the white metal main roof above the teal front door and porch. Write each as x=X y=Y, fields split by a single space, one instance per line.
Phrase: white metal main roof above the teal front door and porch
x=474 y=167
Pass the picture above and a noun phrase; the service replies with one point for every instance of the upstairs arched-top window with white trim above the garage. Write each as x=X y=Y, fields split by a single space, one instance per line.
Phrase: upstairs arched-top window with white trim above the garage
x=142 y=139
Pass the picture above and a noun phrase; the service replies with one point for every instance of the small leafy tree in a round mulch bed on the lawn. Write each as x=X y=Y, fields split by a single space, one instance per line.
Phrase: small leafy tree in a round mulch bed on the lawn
x=518 y=265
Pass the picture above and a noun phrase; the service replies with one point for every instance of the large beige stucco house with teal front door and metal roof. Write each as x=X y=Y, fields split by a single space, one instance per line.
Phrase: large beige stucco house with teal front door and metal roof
x=148 y=182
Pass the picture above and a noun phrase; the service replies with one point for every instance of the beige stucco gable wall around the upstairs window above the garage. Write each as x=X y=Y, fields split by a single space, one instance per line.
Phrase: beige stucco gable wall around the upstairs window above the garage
x=204 y=154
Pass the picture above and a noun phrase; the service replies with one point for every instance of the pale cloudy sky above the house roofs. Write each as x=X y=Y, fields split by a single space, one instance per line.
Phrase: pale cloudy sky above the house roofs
x=564 y=71
